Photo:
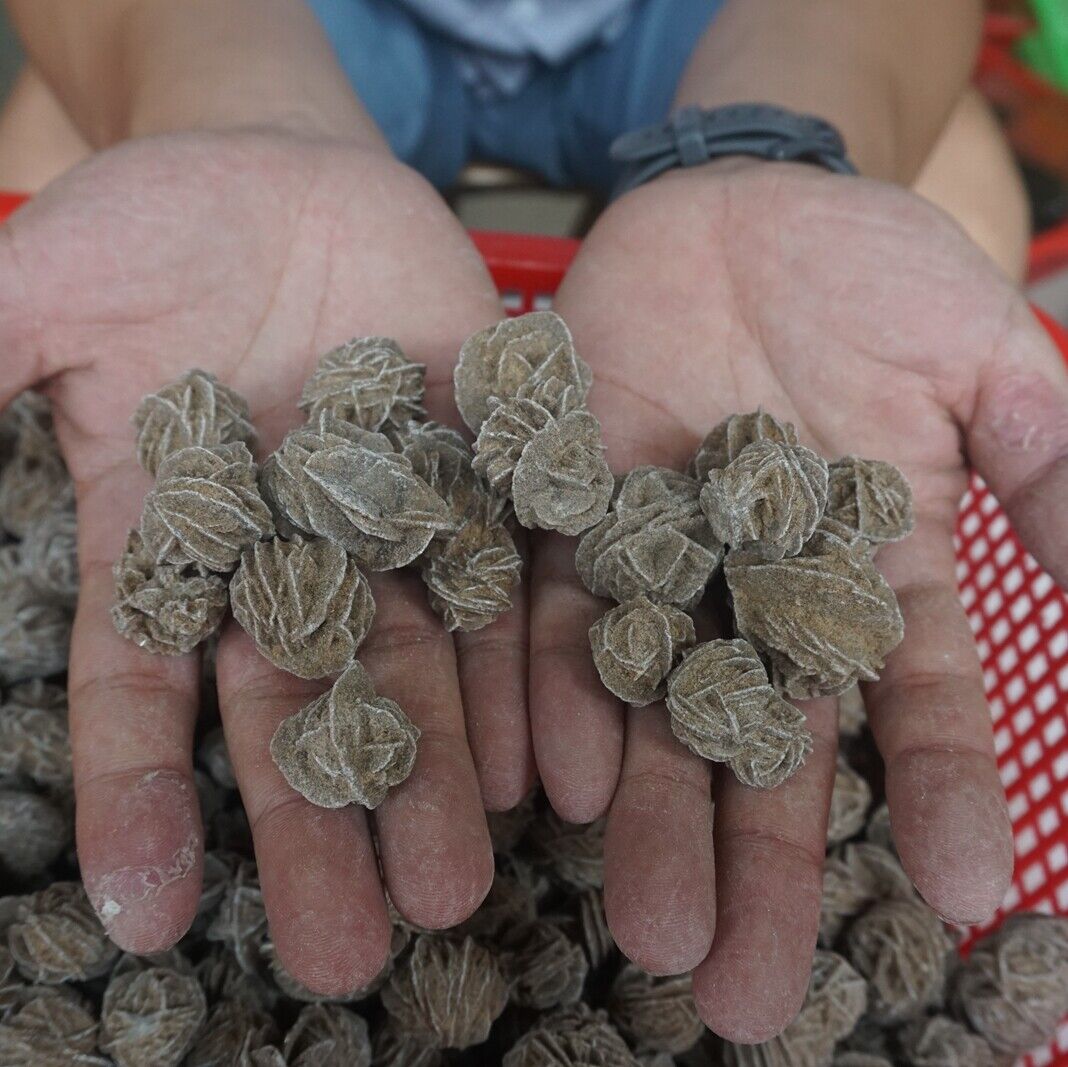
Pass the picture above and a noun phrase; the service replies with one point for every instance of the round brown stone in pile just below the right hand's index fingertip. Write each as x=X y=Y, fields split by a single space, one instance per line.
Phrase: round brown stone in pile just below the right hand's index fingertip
x=901 y=947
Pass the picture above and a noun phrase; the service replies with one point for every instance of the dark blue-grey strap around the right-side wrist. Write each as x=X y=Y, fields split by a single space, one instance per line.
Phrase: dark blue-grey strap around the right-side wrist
x=694 y=136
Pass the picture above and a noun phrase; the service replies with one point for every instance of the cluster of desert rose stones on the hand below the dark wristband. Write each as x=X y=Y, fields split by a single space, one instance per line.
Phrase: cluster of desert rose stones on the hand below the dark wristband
x=812 y=616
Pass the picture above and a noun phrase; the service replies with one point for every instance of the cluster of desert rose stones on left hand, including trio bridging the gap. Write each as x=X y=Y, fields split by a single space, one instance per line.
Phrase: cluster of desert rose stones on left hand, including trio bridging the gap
x=368 y=483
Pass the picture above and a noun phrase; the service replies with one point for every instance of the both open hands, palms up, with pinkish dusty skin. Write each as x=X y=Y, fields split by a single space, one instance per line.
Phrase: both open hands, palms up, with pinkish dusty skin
x=846 y=306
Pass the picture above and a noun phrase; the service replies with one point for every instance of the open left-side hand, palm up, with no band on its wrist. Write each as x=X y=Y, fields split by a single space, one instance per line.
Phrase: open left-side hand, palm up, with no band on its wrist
x=249 y=256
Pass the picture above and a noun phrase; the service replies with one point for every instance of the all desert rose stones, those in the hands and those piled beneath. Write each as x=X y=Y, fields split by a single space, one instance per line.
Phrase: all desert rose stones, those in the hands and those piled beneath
x=533 y=979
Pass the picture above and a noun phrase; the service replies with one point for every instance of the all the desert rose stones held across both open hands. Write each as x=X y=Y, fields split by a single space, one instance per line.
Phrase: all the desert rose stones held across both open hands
x=369 y=484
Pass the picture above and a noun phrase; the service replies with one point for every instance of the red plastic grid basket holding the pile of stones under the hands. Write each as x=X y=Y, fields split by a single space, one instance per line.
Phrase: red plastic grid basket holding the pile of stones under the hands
x=1018 y=615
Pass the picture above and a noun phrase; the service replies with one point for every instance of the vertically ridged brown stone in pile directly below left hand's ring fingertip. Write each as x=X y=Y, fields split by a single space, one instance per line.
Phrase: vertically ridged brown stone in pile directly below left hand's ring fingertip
x=447 y=994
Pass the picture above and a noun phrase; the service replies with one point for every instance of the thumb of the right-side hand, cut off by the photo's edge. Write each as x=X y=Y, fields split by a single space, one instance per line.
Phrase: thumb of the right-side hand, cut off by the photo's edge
x=1018 y=438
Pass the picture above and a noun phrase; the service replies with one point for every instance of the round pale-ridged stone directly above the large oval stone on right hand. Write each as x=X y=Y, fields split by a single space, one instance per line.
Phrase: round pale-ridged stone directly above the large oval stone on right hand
x=768 y=499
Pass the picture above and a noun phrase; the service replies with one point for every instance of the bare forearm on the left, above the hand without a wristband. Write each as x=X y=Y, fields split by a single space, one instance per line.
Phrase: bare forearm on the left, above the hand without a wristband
x=132 y=68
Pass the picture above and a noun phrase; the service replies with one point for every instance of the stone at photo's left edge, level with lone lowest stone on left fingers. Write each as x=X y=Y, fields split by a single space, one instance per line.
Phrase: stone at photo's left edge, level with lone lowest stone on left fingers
x=35 y=740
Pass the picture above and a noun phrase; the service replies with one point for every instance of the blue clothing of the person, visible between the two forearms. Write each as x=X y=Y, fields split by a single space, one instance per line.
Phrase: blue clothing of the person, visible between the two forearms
x=543 y=85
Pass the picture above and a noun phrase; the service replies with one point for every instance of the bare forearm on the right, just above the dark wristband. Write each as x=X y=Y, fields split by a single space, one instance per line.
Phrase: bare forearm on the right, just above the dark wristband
x=887 y=73
